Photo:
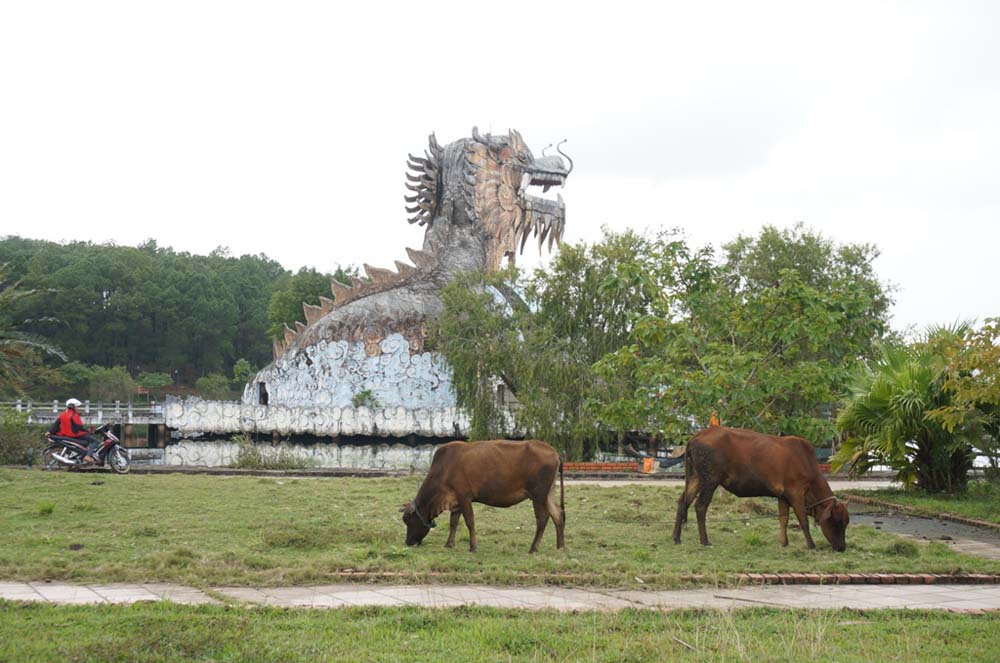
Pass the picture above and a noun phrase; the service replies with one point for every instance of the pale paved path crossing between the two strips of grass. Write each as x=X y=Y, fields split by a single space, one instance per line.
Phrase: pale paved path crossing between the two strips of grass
x=962 y=598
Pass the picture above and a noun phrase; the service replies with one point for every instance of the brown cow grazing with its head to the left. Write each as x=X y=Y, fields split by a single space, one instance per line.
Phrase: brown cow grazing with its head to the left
x=495 y=472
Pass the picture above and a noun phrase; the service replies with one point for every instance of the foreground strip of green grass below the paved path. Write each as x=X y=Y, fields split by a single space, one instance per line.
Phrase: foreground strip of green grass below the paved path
x=167 y=632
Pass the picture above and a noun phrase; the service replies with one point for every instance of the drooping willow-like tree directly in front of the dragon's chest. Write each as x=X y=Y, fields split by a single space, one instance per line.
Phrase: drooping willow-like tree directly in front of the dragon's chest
x=537 y=336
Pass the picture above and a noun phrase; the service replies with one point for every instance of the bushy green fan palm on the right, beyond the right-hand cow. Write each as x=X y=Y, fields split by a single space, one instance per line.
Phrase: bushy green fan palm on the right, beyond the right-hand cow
x=885 y=419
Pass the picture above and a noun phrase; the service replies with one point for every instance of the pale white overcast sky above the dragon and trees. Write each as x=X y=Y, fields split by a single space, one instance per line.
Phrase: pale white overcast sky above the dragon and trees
x=282 y=128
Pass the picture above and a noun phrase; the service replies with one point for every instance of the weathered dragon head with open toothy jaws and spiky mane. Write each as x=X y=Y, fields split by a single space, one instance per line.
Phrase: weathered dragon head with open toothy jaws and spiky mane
x=485 y=180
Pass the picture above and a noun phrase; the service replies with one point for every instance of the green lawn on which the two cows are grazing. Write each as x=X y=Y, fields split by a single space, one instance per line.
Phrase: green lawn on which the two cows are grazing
x=205 y=531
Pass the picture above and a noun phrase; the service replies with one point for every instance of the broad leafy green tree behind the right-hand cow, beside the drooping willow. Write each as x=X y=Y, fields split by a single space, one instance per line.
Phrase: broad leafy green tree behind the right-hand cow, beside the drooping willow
x=766 y=338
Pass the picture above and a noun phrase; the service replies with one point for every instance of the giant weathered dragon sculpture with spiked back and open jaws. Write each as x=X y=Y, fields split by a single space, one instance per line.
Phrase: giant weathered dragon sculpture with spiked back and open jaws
x=358 y=364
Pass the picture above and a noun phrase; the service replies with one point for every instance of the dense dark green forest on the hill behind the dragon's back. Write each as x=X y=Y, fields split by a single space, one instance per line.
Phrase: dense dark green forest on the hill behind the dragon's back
x=120 y=317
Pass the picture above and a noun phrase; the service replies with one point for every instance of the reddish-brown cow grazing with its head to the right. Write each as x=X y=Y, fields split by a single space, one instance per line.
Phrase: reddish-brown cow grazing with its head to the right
x=751 y=464
